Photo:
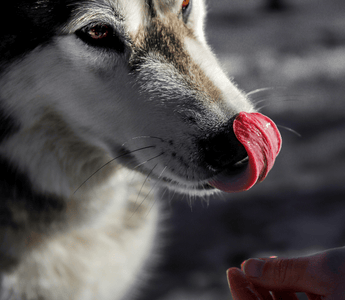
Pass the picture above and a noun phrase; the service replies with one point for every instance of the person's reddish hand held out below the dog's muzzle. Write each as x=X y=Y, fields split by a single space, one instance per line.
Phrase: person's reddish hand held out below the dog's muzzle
x=321 y=276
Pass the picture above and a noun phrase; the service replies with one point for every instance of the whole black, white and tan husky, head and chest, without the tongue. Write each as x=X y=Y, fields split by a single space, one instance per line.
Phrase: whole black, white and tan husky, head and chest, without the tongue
x=102 y=104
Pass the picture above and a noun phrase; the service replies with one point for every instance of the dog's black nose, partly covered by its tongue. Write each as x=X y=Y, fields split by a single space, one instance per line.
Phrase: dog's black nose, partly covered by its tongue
x=221 y=149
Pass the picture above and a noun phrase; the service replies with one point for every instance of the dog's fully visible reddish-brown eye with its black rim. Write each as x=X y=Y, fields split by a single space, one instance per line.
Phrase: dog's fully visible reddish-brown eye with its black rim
x=101 y=36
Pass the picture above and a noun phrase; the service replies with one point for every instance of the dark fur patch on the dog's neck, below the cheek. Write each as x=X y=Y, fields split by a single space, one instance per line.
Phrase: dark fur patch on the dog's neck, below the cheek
x=23 y=212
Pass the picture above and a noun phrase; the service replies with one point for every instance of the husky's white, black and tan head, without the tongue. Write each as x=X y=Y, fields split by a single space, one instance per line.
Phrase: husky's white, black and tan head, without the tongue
x=135 y=78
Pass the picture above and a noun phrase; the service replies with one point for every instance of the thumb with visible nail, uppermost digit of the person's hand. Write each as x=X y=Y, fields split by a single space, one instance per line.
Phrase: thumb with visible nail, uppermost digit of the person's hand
x=303 y=274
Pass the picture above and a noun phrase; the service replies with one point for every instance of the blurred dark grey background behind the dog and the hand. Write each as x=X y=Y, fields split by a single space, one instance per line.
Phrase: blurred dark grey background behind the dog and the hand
x=291 y=54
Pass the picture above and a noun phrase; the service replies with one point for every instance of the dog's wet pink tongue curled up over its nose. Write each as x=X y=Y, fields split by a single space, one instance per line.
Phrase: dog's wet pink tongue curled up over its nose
x=262 y=141
